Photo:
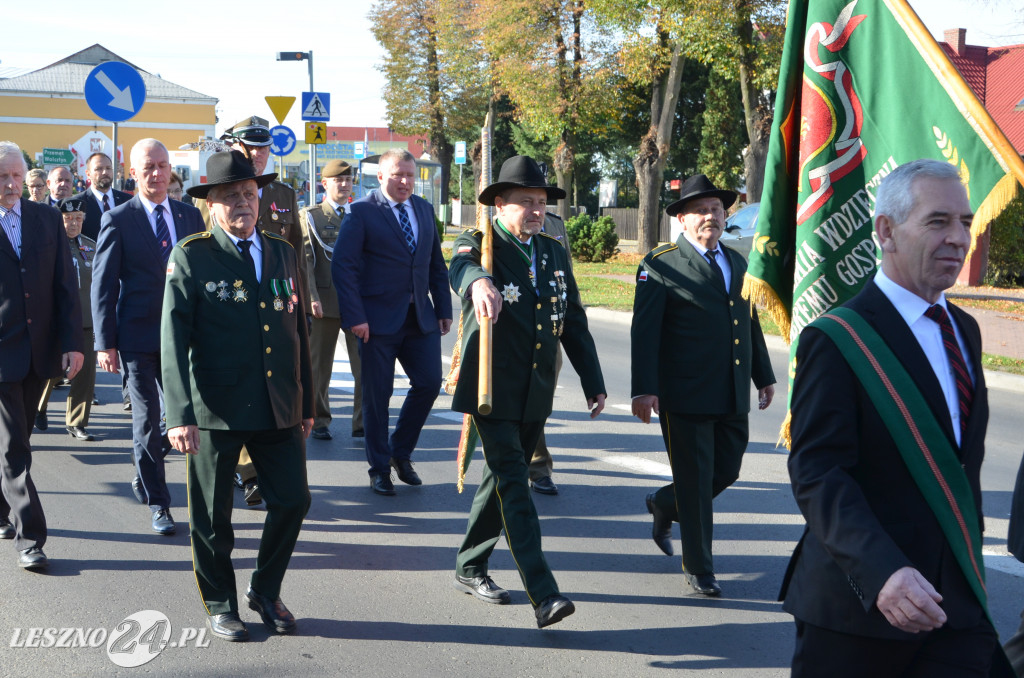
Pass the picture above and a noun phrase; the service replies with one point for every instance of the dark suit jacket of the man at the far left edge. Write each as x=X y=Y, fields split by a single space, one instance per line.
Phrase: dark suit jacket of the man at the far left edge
x=40 y=314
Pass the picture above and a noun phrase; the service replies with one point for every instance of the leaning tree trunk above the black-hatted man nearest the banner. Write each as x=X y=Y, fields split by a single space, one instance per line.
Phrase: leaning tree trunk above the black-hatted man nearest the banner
x=654 y=152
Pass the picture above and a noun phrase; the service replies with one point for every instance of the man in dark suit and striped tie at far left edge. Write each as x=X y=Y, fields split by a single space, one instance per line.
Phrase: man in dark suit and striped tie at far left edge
x=41 y=337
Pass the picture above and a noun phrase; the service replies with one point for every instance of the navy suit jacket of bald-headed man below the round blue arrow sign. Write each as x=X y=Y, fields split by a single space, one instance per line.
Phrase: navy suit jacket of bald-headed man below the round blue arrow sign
x=130 y=275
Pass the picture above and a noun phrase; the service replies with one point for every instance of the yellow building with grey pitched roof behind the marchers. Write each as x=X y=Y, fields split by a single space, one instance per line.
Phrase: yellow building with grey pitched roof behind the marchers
x=48 y=109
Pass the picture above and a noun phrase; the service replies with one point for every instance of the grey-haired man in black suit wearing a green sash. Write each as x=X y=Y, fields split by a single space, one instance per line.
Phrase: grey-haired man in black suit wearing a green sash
x=888 y=578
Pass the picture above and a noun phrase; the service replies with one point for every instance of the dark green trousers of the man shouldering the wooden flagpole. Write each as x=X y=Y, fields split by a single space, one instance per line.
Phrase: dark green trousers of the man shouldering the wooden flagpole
x=503 y=501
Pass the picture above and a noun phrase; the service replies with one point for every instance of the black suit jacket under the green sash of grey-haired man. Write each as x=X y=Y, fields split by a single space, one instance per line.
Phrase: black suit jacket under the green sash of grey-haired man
x=866 y=517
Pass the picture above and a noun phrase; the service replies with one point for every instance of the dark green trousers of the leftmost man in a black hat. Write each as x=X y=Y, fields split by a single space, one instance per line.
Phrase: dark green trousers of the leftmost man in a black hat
x=281 y=468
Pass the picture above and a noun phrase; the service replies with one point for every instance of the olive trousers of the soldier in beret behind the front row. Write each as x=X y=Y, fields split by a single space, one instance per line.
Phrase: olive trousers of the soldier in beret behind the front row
x=323 y=344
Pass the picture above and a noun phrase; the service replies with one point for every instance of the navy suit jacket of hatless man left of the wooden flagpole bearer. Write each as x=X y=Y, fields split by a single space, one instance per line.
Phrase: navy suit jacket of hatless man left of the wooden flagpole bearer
x=376 y=276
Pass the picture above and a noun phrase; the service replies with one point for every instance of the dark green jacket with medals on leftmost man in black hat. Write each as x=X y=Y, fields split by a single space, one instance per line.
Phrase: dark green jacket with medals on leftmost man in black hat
x=233 y=357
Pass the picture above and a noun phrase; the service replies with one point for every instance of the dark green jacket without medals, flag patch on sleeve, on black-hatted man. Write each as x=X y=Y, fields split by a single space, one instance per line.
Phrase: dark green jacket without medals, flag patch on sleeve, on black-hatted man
x=694 y=346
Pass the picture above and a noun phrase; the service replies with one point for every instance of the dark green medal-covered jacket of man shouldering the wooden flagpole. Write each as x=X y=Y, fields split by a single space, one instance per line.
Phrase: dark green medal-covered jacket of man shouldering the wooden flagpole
x=529 y=328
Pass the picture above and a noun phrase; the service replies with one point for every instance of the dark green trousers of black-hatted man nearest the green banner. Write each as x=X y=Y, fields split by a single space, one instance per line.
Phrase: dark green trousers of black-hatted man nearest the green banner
x=705 y=453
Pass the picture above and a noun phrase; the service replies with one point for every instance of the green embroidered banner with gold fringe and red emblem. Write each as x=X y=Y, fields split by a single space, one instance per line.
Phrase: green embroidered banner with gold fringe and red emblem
x=863 y=89
